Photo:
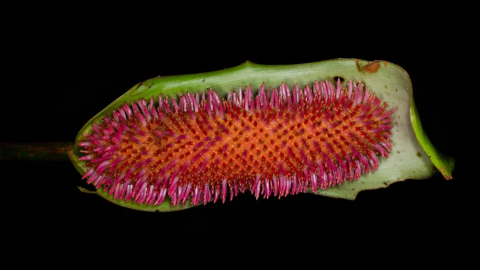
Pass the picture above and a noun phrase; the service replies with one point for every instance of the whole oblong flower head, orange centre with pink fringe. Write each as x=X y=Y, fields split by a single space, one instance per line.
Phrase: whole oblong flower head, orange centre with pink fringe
x=278 y=142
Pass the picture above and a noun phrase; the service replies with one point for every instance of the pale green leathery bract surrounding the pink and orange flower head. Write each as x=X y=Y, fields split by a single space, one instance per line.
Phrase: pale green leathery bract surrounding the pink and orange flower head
x=412 y=157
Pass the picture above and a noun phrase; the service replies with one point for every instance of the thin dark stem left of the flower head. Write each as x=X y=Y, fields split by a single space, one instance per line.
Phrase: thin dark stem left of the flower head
x=47 y=151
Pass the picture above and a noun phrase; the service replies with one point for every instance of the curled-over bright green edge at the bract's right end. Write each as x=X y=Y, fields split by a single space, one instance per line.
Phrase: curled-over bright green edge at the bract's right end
x=443 y=163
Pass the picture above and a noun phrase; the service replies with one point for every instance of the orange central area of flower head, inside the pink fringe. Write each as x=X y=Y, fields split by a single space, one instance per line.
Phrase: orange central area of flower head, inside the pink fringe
x=245 y=144
